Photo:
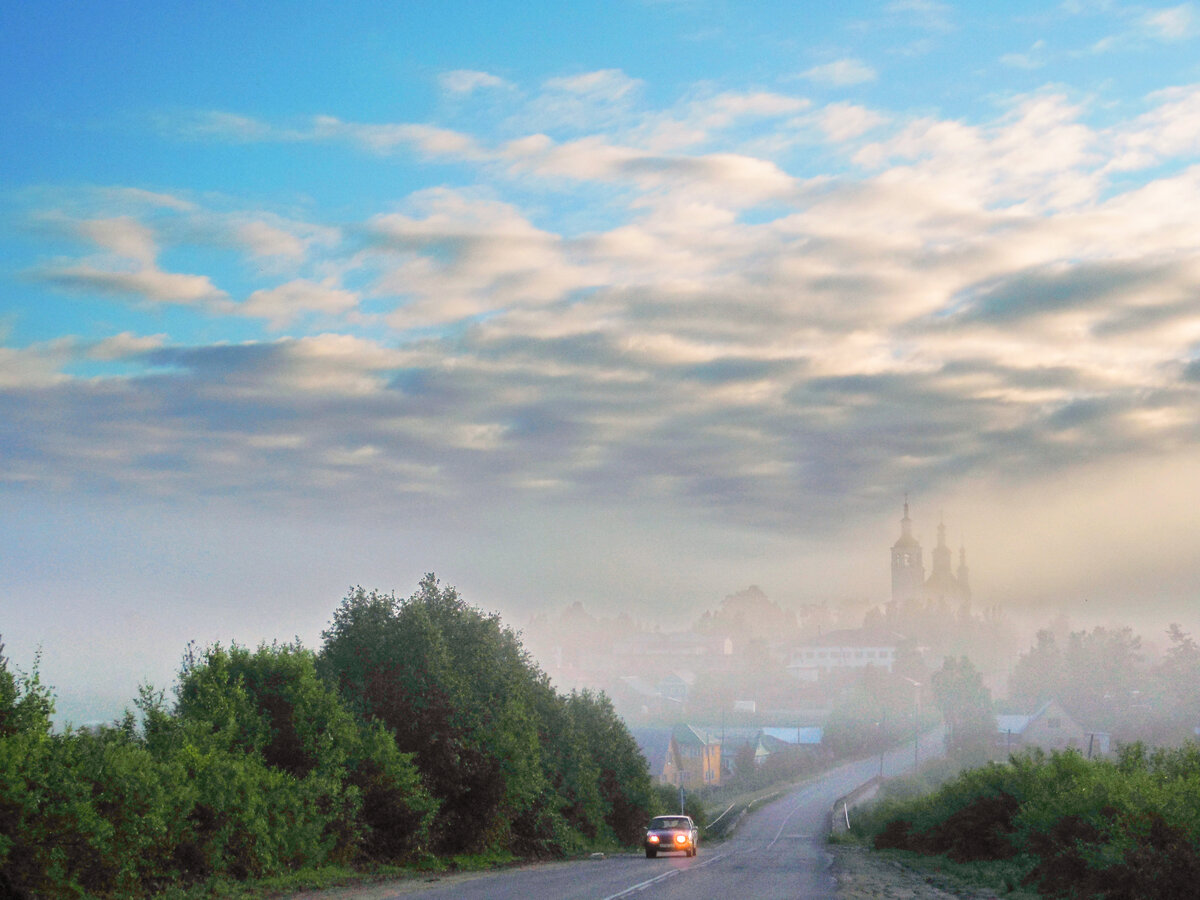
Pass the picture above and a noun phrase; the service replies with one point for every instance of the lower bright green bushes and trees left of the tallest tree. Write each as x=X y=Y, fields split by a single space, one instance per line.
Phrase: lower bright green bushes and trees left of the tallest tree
x=255 y=771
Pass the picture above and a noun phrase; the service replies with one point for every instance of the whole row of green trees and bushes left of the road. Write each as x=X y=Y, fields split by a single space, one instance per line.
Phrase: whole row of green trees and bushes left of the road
x=421 y=728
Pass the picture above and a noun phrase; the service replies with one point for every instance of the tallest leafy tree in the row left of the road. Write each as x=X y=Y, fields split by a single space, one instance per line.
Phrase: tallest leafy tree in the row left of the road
x=454 y=686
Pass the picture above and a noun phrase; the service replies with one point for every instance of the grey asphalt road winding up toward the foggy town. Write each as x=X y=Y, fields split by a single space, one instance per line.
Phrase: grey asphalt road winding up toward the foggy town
x=777 y=854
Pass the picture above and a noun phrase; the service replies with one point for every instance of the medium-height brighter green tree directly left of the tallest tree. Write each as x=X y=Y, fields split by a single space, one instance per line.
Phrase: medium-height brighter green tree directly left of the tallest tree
x=254 y=718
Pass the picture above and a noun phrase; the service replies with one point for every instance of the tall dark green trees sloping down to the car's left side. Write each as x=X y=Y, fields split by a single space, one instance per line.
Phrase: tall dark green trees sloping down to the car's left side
x=513 y=765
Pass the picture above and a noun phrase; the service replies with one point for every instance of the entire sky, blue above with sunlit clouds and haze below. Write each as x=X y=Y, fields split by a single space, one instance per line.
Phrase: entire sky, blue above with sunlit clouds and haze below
x=633 y=303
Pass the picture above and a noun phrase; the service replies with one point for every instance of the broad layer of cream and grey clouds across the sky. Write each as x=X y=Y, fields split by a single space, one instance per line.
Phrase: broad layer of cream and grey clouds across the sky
x=729 y=329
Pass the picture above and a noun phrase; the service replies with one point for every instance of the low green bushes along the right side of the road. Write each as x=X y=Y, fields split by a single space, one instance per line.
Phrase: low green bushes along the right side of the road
x=1106 y=830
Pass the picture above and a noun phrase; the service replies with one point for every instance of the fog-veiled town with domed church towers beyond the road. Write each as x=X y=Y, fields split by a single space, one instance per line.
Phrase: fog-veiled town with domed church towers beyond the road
x=751 y=679
